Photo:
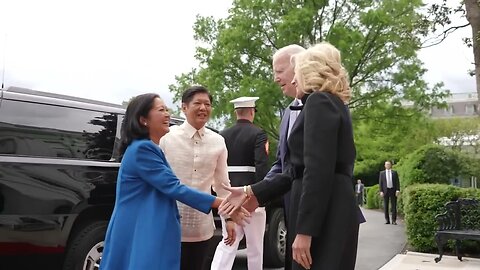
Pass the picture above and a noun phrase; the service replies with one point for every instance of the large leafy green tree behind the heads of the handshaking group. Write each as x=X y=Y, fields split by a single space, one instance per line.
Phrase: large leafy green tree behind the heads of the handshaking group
x=378 y=39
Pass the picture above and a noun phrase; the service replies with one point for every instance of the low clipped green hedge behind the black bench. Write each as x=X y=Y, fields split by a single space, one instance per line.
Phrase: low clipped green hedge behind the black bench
x=422 y=203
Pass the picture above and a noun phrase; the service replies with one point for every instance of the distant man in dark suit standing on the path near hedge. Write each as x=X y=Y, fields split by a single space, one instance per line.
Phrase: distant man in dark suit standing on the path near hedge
x=389 y=191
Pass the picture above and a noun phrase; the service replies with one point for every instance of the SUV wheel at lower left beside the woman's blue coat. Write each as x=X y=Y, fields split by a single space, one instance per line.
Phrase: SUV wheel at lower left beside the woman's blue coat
x=86 y=248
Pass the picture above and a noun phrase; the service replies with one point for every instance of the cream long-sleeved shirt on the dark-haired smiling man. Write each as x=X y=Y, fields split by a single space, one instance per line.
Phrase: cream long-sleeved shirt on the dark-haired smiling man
x=199 y=159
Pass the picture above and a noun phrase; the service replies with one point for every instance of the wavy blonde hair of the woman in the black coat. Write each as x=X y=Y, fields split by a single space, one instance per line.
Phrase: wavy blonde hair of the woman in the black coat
x=319 y=68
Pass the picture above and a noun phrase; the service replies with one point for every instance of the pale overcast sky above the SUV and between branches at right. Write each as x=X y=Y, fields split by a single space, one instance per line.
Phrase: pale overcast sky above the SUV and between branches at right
x=113 y=50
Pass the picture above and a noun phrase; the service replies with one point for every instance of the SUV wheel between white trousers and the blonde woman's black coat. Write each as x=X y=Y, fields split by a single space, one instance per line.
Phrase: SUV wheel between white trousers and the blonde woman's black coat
x=275 y=240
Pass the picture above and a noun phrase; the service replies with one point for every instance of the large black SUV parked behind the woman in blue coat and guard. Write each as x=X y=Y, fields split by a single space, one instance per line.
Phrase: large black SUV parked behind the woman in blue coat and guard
x=58 y=168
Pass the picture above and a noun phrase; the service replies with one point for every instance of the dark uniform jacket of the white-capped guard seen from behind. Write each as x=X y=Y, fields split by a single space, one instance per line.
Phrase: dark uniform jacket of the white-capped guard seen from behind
x=247 y=145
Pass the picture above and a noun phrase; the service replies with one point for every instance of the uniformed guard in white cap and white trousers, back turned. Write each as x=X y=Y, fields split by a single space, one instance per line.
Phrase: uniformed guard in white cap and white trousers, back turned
x=247 y=147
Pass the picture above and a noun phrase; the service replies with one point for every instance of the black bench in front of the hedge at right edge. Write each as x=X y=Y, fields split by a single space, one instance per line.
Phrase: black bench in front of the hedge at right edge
x=460 y=221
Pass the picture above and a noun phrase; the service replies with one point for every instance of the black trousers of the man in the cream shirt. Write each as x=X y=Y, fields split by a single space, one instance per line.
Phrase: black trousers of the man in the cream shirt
x=194 y=255
